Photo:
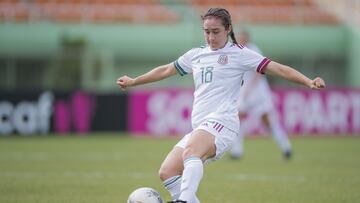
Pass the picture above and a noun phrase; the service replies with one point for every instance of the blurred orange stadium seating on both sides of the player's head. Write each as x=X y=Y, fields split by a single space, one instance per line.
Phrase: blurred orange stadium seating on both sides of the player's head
x=148 y=11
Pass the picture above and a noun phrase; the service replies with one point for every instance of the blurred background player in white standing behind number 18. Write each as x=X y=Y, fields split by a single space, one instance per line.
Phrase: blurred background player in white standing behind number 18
x=256 y=99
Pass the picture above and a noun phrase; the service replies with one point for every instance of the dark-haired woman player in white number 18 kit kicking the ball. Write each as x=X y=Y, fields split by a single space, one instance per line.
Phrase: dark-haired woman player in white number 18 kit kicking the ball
x=217 y=70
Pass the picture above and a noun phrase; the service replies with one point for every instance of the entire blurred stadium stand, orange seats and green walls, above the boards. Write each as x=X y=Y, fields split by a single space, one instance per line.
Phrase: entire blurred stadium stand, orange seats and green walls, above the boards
x=87 y=44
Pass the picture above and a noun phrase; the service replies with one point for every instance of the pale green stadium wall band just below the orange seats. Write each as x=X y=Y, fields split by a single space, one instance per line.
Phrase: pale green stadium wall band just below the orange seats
x=151 y=42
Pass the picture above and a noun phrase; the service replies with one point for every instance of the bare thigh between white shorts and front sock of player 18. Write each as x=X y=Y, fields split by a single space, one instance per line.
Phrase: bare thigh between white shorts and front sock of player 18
x=200 y=144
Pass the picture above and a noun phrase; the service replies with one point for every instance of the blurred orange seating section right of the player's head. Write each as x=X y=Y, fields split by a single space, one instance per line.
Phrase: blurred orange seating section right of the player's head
x=274 y=11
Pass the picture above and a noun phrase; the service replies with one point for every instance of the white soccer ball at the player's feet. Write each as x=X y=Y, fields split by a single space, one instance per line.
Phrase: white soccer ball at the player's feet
x=145 y=195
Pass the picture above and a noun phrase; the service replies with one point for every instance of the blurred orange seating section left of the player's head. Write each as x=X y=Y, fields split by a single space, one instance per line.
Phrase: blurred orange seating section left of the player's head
x=96 y=11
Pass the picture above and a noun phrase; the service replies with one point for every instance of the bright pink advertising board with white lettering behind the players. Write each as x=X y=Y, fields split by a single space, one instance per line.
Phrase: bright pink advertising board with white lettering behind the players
x=166 y=112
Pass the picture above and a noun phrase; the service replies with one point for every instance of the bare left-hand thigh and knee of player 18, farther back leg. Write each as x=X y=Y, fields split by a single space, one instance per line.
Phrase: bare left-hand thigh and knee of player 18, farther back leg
x=173 y=164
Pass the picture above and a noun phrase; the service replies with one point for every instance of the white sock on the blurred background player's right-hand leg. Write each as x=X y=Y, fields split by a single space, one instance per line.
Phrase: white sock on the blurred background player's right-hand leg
x=280 y=136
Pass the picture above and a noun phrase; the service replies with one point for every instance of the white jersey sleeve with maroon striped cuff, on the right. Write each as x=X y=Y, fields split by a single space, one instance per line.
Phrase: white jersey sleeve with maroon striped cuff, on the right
x=254 y=61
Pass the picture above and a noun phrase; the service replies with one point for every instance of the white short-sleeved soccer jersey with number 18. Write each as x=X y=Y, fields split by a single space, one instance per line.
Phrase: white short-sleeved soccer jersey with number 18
x=217 y=76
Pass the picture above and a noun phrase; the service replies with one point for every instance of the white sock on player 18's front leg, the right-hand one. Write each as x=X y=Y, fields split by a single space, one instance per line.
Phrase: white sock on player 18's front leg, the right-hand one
x=192 y=174
